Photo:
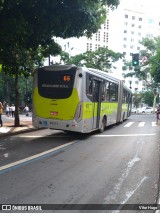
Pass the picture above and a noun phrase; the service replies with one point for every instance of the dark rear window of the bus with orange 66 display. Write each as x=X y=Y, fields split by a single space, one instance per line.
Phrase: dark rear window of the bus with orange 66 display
x=56 y=84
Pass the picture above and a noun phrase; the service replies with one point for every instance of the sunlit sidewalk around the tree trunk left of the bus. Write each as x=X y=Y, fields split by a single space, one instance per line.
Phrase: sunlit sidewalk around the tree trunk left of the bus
x=8 y=125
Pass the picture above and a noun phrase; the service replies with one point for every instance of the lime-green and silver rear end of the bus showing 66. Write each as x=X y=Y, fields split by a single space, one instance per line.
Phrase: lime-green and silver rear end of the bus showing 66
x=56 y=101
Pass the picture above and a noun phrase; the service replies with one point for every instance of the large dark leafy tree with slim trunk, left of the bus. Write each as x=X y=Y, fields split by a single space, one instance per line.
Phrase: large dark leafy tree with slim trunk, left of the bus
x=28 y=28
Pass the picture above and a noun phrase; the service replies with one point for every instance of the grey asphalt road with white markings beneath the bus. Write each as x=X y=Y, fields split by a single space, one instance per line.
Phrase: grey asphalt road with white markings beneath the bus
x=119 y=166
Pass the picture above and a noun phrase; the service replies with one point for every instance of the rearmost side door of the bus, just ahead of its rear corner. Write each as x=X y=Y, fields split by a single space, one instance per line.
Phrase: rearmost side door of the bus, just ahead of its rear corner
x=96 y=102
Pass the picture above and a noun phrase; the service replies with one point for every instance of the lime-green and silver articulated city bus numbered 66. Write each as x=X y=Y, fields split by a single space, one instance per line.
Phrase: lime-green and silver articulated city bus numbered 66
x=78 y=99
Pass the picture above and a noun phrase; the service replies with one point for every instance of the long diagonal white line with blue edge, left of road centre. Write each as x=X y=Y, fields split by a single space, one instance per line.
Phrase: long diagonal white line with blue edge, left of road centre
x=35 y=156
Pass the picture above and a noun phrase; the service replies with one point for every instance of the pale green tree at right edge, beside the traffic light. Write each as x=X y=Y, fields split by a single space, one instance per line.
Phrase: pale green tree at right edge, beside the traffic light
x=149 y=70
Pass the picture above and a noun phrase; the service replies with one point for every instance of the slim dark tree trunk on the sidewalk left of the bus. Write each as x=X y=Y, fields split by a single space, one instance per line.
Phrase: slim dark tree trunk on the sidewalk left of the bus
x=16 y=121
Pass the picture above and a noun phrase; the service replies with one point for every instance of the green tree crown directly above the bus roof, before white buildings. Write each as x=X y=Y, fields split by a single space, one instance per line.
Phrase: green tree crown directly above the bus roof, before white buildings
x=101 y=59
